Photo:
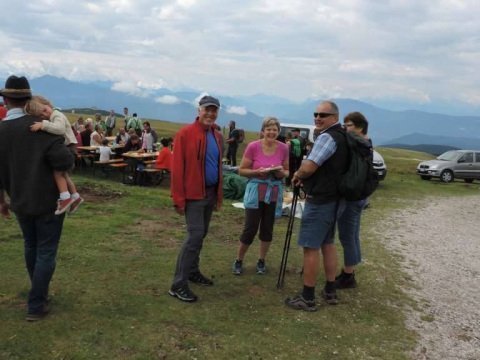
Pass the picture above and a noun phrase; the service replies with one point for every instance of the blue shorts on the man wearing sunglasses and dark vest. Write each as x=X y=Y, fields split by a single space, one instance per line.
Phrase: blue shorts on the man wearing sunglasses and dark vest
x=318 y=224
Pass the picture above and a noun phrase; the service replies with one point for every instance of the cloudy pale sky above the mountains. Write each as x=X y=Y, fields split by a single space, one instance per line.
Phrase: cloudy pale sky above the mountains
x=417 y=52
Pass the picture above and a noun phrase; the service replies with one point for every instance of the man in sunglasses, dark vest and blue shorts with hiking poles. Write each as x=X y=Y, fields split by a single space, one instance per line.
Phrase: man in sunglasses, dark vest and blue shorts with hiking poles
x=319 y=174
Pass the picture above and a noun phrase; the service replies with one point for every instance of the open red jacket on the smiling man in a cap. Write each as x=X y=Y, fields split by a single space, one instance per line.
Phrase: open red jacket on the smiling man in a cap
x=187 y=177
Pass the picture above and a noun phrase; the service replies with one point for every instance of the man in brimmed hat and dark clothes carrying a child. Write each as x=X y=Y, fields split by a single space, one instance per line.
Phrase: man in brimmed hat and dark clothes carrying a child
x=26 y=163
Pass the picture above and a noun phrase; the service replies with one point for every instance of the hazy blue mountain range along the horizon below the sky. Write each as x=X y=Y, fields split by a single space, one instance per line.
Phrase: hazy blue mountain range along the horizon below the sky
x=408 y=127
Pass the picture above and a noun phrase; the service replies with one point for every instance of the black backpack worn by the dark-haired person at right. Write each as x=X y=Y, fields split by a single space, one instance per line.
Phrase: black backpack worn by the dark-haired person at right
x=360 y=180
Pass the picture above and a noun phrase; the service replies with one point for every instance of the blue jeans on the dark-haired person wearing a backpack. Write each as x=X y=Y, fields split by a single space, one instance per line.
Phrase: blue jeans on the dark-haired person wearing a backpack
x=349 y=232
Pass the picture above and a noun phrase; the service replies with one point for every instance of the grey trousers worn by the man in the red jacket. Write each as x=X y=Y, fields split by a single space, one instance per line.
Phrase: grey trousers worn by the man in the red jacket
x=197 y=215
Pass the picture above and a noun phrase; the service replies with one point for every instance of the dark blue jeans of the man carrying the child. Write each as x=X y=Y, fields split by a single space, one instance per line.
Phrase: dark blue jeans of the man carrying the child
x=41 y=236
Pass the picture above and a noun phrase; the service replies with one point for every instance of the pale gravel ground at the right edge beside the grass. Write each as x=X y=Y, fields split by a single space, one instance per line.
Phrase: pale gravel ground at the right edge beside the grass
x=439 y=241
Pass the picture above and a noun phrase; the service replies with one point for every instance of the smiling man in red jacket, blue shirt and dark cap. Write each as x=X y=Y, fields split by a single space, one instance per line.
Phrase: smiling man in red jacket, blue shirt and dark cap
x=196 y=188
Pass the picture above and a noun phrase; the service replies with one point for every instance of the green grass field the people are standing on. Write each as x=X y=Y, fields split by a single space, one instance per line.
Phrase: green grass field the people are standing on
x=116 y=262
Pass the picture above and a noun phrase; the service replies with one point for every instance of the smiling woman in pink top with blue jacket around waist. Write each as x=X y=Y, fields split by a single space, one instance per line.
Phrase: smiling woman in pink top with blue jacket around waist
x=265 y=163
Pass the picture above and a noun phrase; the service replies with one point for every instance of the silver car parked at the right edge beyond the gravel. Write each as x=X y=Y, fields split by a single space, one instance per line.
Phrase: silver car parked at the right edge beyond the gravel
x=460 y=164
